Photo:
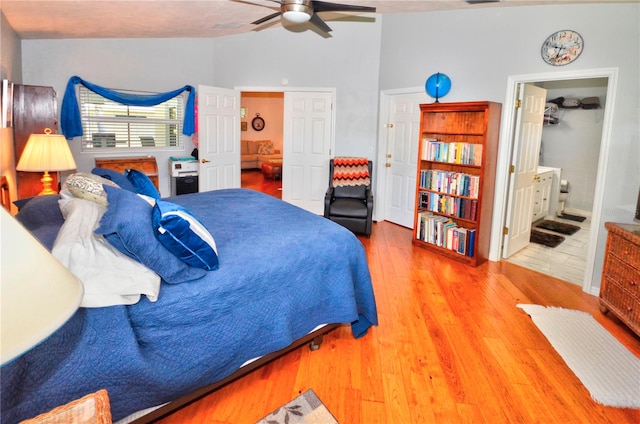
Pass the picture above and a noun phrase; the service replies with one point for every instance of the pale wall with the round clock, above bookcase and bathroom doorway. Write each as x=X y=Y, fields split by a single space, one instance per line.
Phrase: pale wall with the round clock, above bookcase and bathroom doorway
x=480 y=49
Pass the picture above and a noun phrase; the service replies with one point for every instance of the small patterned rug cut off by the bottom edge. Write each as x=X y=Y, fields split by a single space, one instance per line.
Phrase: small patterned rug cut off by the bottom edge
x=305 y=409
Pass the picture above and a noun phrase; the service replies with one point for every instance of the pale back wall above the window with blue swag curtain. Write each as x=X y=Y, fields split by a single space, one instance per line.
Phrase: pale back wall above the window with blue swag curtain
x=256 y=59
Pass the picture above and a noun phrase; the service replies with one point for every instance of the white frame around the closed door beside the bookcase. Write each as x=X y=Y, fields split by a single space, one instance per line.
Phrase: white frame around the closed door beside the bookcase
x=381 y=181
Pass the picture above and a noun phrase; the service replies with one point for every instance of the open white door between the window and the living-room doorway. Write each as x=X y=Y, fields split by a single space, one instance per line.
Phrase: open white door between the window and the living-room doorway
x=218 y=138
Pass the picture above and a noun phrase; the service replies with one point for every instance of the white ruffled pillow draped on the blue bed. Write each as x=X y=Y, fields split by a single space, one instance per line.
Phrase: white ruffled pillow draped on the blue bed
x=109 y=277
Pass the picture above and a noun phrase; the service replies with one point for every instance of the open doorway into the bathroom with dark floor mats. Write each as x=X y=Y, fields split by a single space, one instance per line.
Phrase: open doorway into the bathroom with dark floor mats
x=565 y=185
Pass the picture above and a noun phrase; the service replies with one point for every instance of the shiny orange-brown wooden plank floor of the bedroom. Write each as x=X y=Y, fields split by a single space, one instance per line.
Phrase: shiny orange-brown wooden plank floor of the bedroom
x=451 y=347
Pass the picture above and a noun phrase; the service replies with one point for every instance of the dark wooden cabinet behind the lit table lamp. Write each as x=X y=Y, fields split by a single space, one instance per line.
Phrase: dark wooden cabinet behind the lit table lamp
x=34 y=109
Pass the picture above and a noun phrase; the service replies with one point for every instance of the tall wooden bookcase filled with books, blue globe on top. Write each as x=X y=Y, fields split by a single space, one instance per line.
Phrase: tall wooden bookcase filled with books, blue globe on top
x=457 y=157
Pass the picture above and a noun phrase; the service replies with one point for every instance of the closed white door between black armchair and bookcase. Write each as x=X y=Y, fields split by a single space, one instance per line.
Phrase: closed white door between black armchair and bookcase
x=403 y=133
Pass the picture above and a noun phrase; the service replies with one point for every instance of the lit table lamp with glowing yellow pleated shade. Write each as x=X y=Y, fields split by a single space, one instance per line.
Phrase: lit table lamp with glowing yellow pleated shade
x=46 y=152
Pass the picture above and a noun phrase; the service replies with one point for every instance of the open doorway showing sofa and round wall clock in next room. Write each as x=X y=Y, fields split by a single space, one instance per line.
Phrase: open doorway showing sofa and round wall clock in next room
x=261 y=138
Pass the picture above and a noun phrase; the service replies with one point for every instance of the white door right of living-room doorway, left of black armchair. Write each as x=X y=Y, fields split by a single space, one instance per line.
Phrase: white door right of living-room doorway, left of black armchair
x=308 y=127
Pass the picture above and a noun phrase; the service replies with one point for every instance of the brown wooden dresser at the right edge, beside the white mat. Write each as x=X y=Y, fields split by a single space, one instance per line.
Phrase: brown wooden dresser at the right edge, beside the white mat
x=620 y=285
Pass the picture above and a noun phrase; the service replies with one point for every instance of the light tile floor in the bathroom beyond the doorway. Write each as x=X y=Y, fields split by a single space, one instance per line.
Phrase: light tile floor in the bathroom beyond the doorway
x=566 y=261
